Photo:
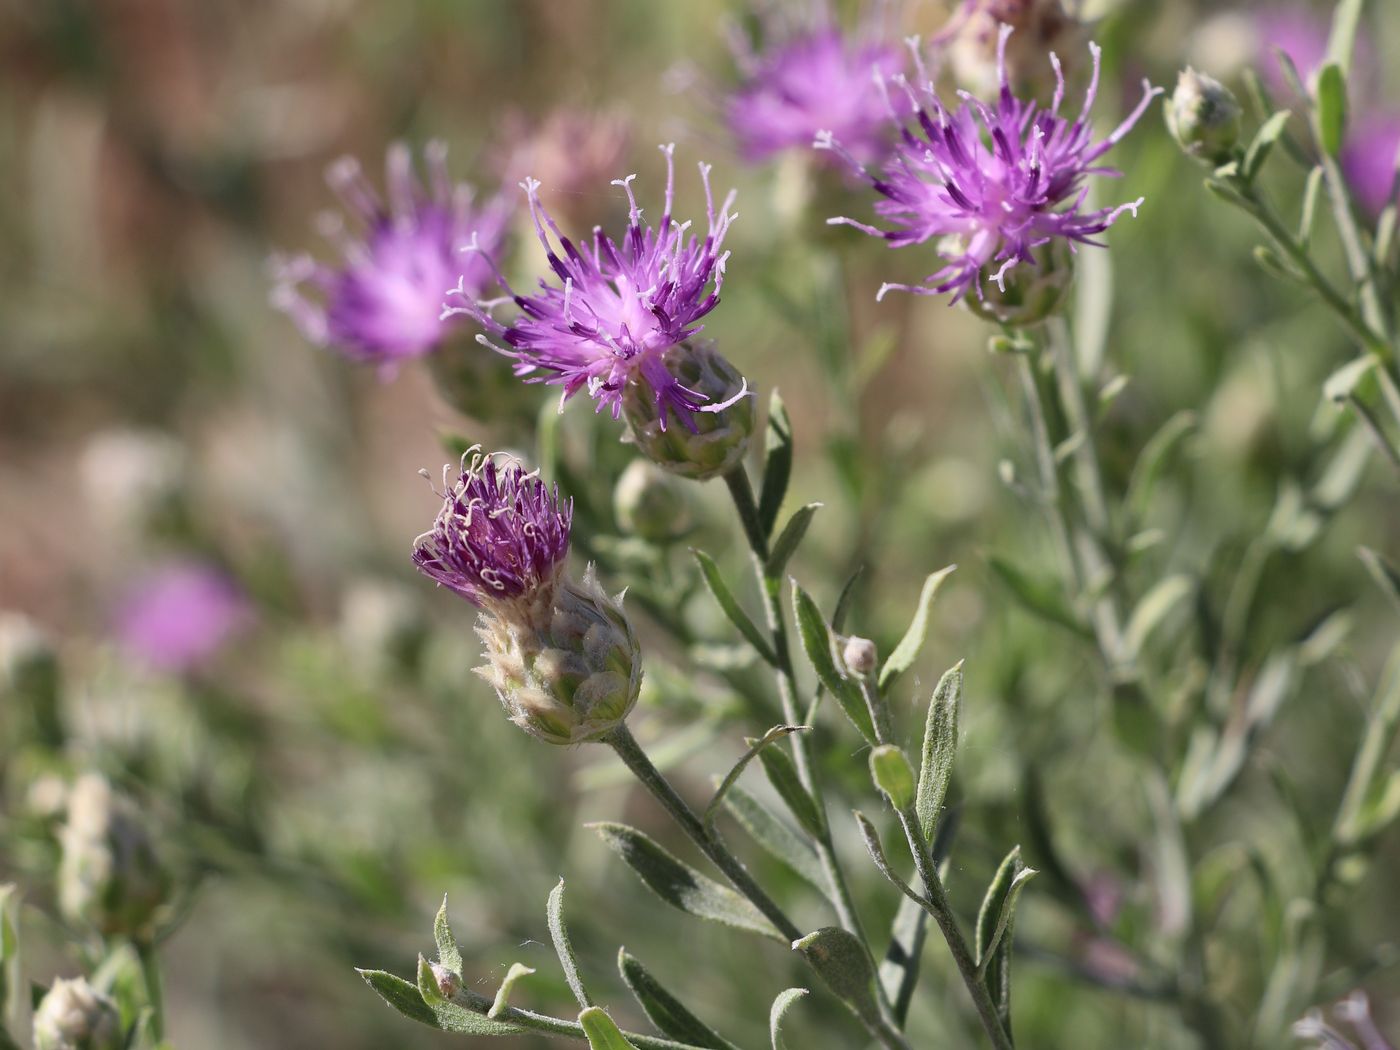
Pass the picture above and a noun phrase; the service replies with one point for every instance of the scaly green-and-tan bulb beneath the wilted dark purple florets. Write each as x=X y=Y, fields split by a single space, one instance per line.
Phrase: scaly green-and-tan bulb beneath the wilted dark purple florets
x=569 y=668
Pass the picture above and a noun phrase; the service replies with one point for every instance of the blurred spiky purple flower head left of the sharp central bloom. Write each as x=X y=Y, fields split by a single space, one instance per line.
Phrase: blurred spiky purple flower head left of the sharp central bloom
x=384 y=302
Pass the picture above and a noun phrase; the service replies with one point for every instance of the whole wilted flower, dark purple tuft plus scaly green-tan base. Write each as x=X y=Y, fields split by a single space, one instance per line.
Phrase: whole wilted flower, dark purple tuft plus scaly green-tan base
x=563 y=657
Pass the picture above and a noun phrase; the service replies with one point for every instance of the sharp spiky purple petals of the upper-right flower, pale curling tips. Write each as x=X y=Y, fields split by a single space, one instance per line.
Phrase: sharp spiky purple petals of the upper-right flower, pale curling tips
x=992 y=184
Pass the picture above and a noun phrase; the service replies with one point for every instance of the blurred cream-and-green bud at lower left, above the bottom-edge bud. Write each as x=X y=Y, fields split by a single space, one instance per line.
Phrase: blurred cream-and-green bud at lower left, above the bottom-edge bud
x=110 y=876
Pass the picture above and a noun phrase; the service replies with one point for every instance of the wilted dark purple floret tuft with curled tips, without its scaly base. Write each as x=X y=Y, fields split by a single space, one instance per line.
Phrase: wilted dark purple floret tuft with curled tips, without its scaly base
x=500 y=537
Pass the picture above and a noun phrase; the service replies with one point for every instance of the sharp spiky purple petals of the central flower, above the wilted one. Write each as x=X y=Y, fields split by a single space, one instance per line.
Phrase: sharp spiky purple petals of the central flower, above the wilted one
x=618 y=307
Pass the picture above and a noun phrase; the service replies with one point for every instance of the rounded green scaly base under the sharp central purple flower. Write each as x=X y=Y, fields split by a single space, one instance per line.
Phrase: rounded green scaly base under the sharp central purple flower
x=702 y=444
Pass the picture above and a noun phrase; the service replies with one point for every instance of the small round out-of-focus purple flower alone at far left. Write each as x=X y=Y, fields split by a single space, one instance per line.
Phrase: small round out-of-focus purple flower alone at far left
x=180 y=617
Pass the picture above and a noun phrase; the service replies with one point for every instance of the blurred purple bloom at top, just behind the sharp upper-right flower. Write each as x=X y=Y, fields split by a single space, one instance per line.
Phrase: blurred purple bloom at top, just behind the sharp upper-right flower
x=811 y=79
